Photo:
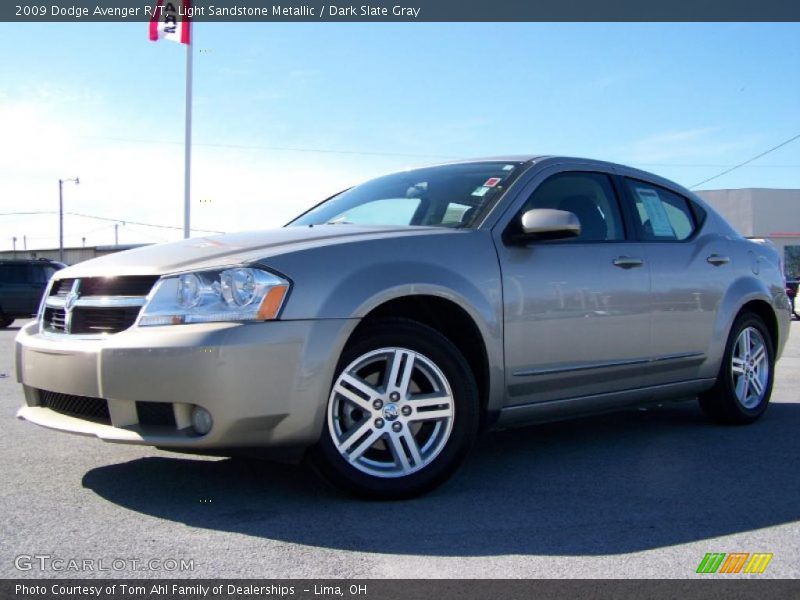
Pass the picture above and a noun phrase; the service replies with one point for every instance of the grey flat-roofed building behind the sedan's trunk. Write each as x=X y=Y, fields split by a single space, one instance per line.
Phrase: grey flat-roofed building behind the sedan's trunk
x=763 y=213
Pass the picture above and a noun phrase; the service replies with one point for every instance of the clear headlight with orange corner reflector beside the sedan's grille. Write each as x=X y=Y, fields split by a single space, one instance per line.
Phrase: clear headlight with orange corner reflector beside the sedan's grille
x=238 y=294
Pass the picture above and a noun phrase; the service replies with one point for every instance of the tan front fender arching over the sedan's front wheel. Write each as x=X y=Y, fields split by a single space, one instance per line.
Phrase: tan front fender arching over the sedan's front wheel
x=347 y=281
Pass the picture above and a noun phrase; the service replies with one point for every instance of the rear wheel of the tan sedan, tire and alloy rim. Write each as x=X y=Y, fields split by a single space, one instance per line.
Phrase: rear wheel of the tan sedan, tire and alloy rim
x=744 y=384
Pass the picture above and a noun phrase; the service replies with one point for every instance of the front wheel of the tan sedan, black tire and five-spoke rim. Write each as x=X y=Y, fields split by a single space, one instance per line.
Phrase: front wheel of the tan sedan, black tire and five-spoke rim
x=402 y=413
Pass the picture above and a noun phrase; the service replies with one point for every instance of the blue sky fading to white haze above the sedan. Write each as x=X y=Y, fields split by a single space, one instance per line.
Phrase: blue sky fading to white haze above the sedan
x=285 y=114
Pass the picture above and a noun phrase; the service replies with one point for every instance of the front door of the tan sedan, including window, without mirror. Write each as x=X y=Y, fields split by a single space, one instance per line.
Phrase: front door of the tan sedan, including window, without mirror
x=576 y=315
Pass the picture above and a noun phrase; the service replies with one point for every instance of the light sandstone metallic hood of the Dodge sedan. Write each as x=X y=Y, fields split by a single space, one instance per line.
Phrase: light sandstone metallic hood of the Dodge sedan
x=234 y=249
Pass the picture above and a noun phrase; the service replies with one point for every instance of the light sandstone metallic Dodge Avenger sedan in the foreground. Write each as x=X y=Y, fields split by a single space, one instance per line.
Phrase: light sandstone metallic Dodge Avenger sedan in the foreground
x=378 y=333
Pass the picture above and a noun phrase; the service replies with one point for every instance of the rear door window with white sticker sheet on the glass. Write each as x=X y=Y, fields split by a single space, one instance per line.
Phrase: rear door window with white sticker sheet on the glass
x=662 y=215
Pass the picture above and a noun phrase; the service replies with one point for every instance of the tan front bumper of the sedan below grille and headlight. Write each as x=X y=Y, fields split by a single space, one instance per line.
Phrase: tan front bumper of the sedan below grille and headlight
x=265 y=384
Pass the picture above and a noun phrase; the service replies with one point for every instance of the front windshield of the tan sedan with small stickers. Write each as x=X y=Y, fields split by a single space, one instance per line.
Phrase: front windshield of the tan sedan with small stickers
x=446 y=196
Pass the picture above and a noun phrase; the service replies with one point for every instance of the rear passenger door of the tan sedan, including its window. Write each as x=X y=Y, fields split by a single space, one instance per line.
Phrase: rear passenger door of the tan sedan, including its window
x=690 y=270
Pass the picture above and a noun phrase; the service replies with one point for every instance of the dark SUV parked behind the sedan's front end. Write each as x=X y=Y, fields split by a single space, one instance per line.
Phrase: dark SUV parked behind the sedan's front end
x=22 y=284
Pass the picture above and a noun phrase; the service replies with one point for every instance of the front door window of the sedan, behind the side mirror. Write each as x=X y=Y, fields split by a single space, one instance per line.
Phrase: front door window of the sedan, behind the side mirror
x=590 y=197
